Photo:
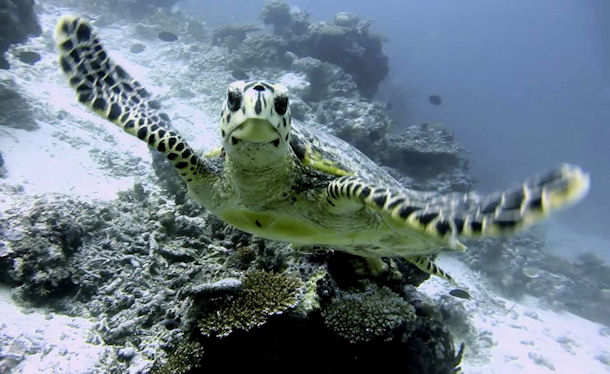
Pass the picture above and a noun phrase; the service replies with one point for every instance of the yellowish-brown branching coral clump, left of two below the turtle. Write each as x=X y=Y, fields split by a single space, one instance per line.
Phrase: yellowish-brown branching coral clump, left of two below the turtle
x=263 y=294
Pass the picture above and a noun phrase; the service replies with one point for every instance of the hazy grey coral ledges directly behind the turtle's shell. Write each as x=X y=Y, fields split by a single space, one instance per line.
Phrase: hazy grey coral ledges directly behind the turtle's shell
x=423 y=157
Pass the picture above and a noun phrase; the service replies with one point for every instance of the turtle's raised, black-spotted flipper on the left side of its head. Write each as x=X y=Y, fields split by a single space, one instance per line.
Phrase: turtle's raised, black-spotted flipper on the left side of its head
x=112 y=93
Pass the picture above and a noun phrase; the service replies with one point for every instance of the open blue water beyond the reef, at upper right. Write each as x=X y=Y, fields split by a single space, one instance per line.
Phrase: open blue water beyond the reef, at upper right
x=524 y=84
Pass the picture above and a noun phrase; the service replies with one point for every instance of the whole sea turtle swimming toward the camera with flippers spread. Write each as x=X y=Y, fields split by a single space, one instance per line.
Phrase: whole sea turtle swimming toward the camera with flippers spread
x=281 y=180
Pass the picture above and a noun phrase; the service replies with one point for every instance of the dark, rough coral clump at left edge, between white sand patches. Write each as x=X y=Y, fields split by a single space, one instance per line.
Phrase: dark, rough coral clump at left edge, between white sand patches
x=42 y=238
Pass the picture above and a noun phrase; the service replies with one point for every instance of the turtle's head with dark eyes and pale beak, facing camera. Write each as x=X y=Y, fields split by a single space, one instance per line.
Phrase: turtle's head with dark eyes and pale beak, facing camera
x=256 y=125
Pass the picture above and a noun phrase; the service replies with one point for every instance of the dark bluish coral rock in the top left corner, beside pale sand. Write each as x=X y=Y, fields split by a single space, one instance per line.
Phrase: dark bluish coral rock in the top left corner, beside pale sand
x=17 y=21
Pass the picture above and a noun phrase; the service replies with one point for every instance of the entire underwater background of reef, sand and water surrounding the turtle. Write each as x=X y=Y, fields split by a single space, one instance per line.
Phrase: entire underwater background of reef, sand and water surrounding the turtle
x=106 y=265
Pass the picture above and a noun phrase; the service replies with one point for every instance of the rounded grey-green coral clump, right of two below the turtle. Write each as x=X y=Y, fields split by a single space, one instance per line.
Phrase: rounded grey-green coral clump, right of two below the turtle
x=362 y=317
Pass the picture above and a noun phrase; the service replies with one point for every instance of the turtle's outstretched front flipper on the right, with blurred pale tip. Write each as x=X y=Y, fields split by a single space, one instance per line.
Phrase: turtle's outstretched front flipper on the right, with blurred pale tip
x=450 y=216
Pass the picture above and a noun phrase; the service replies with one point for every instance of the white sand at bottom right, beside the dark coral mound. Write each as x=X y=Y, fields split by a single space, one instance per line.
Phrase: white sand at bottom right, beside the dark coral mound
x=522 y=337
